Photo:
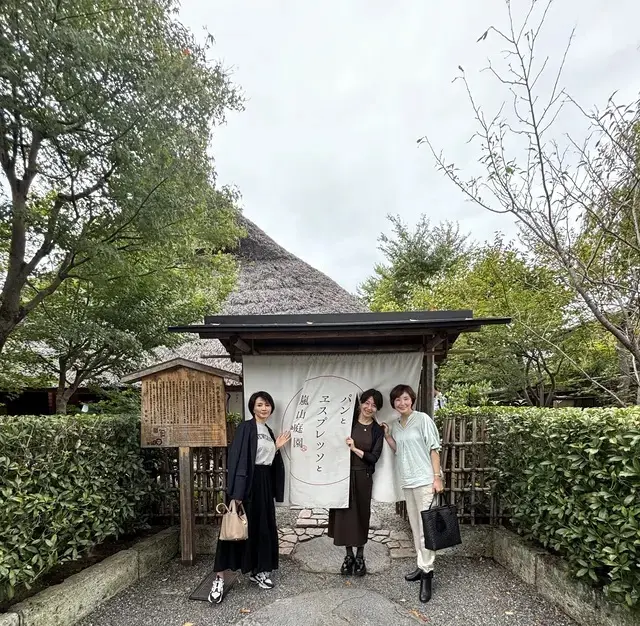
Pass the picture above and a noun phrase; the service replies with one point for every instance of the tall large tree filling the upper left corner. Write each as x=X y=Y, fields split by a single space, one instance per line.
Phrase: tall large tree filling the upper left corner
x=106 y=111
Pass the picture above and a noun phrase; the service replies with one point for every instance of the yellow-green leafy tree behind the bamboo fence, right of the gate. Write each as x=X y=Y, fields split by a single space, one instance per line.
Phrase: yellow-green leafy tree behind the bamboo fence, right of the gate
x=526 y=360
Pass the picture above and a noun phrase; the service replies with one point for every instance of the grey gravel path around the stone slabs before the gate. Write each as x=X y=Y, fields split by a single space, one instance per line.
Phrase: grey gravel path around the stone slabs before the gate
x=467 y=592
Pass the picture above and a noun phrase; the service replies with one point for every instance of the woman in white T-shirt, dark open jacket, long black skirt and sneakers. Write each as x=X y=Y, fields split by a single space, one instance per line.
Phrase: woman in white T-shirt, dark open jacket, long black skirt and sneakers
x=255 y=478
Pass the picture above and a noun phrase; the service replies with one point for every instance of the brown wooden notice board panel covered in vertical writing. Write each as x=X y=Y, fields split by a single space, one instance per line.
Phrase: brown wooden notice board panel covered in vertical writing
x=183 y=407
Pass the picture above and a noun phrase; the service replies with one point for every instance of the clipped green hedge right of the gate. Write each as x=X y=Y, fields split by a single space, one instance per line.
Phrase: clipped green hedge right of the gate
x=571 y=480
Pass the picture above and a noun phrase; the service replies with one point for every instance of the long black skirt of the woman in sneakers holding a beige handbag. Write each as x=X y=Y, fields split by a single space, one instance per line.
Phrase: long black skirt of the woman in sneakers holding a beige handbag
x=259 y=553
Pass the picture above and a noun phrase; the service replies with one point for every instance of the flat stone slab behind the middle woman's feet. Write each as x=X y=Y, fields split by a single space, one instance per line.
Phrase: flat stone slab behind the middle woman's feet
x=322 y=557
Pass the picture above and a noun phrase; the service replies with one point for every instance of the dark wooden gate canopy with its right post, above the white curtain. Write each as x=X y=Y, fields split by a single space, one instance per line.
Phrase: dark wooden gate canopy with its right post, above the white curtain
x=433 y=332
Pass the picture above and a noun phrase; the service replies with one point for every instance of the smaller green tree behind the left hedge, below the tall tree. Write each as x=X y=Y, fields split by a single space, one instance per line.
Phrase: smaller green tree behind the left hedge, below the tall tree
x=93 y=331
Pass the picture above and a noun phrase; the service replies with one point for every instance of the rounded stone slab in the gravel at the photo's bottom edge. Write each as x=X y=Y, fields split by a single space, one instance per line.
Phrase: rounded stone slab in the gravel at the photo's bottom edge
x=332 y=608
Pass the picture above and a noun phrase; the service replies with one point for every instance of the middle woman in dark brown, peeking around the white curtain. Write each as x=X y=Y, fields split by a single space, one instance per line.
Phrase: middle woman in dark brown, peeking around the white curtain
x=350 y=527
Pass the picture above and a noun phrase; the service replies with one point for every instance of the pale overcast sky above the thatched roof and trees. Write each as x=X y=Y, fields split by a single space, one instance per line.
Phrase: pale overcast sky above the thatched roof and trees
x=338 y=91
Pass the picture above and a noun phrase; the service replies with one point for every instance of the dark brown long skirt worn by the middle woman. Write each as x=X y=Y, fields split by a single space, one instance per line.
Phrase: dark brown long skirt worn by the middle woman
x=350 y=527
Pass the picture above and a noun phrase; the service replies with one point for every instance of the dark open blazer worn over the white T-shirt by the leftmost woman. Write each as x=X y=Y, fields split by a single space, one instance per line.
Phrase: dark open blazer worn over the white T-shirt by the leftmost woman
x=241 y=461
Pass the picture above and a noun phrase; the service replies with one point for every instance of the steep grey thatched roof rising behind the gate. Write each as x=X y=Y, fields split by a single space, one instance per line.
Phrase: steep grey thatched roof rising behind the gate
x=271 y=280
